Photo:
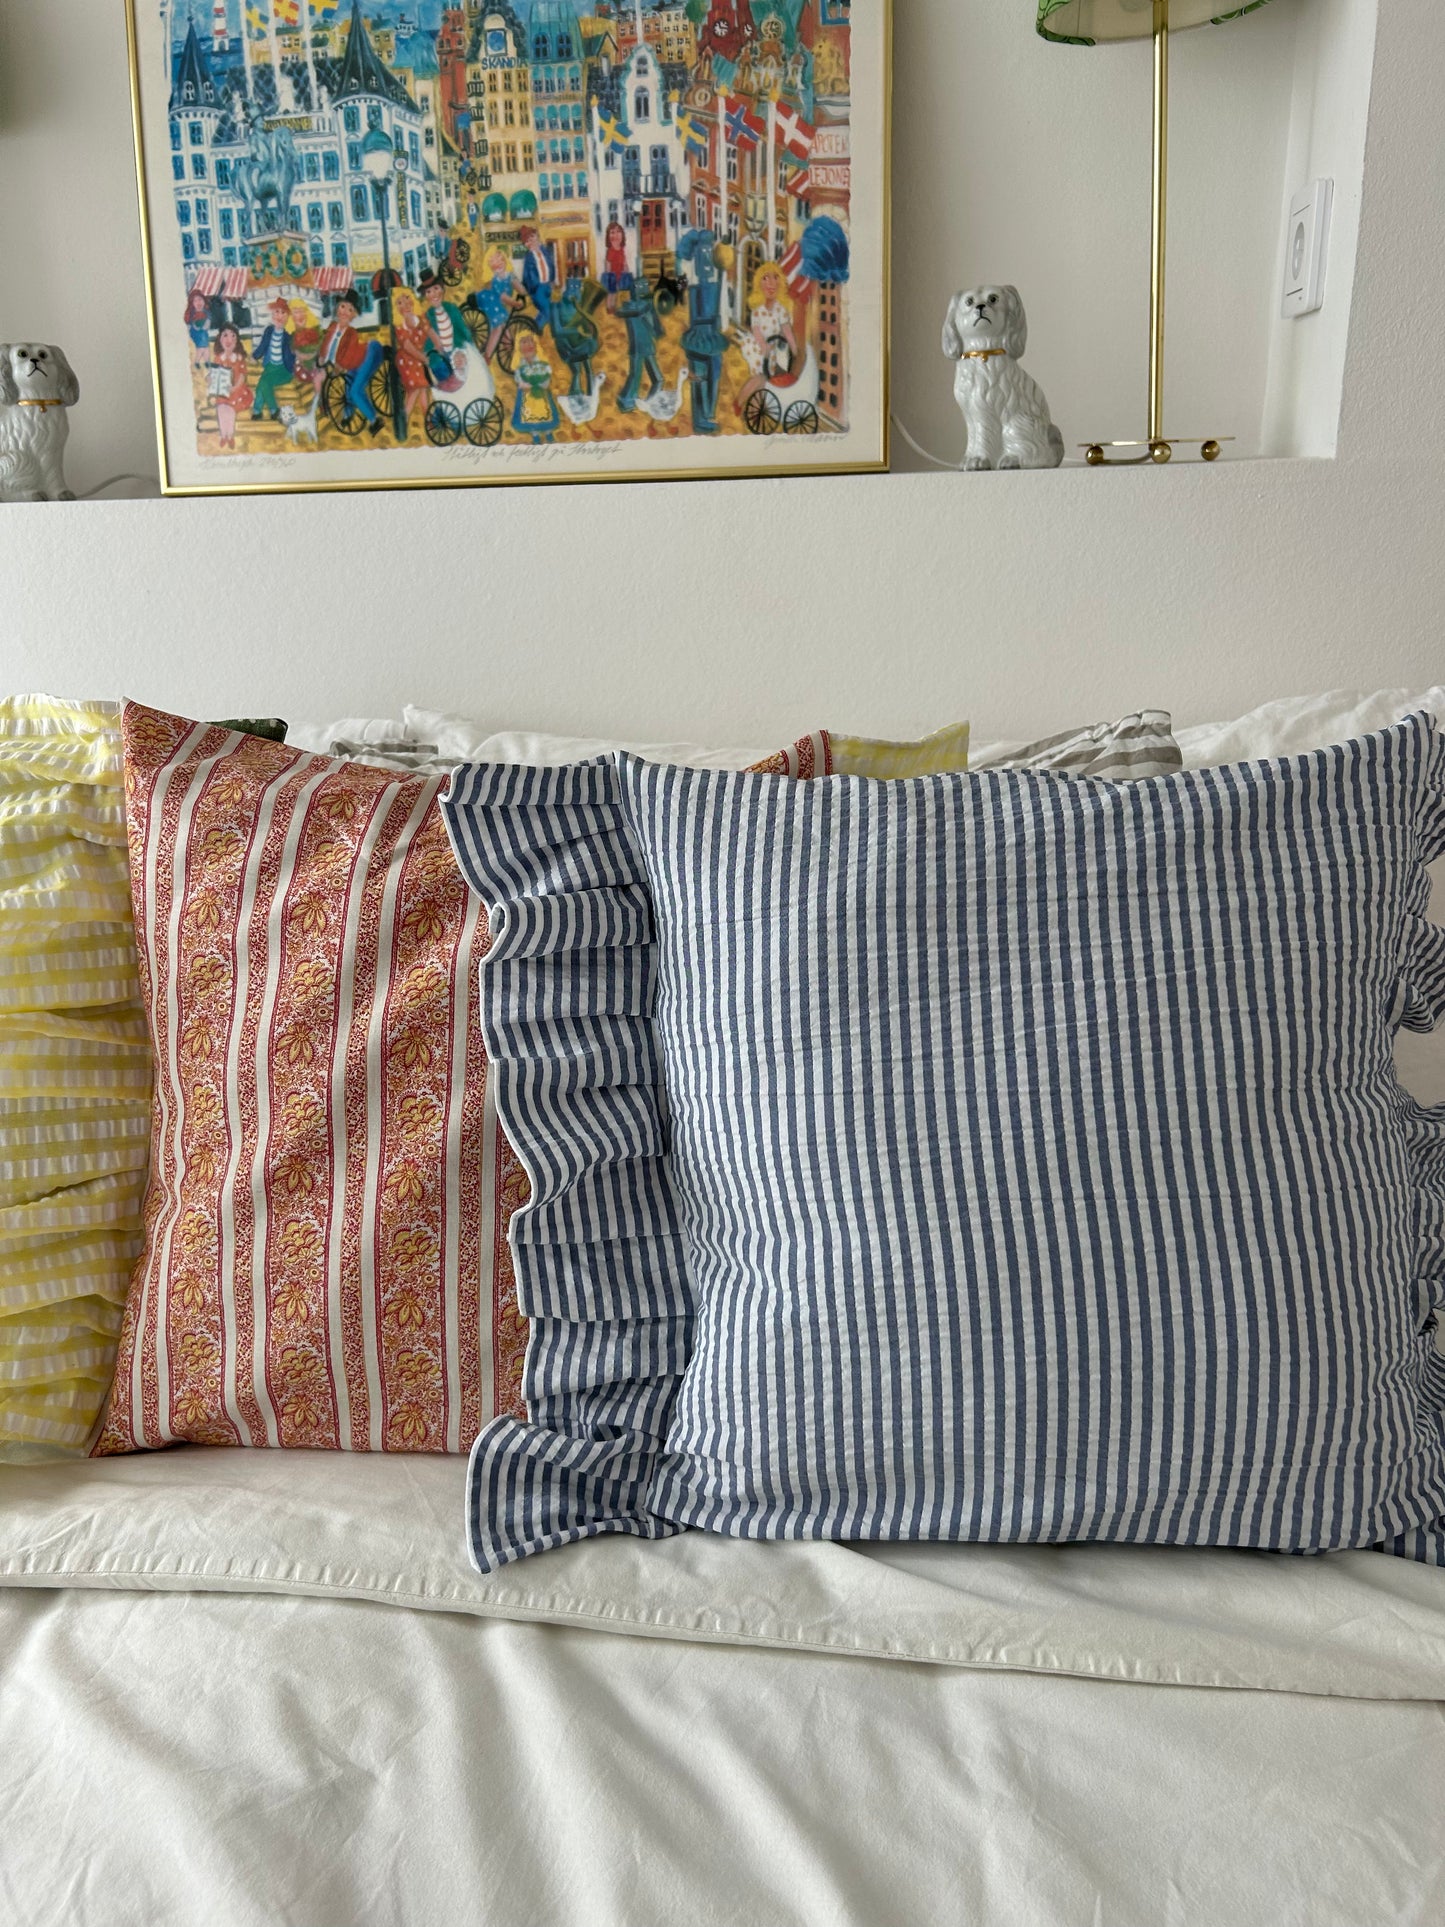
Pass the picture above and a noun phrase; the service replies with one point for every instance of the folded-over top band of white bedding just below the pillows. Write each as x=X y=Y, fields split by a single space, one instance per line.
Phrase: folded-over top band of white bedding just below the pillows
x=390 y=1529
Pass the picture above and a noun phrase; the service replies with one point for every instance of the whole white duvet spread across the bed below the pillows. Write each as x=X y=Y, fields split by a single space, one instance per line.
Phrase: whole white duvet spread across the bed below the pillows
x=269 y=1689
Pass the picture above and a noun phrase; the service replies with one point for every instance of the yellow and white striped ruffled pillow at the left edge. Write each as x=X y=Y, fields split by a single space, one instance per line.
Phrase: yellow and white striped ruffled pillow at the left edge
x=74 y=1072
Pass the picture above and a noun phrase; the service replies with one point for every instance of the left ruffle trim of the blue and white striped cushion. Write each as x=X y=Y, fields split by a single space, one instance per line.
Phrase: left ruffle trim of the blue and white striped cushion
x=602 y=1271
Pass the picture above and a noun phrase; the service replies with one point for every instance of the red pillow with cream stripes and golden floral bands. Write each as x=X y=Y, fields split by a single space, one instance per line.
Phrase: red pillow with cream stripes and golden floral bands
x=327 y=1255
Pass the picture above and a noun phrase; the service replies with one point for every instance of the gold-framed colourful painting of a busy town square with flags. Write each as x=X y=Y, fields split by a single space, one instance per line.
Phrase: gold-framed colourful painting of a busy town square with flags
x=400 y=244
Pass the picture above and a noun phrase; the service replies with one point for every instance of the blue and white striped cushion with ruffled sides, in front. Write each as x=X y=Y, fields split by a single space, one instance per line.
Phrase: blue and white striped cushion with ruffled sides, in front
x=999 y=1157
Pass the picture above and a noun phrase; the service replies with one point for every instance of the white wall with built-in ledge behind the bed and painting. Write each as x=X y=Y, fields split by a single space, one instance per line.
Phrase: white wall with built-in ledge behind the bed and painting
x=881 y=604
